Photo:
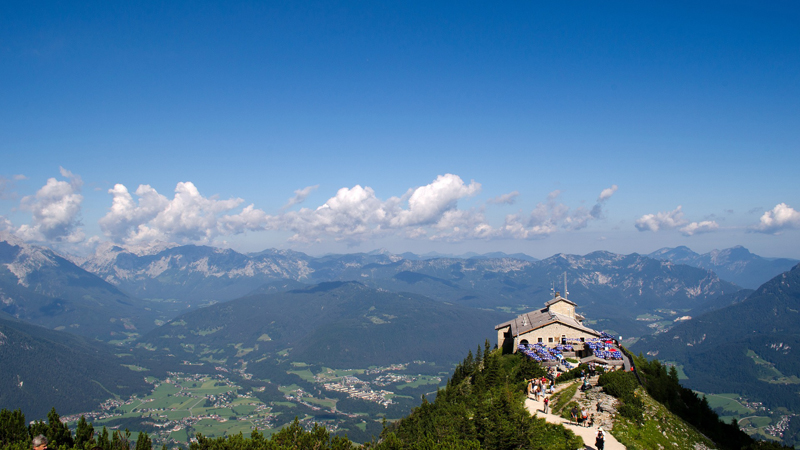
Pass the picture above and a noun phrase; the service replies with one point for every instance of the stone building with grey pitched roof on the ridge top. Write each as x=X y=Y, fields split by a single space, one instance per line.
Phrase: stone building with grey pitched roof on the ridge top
x=554 y=324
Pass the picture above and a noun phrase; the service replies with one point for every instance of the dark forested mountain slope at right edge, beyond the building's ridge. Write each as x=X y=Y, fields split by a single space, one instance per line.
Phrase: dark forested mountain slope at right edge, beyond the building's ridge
x=751 y=347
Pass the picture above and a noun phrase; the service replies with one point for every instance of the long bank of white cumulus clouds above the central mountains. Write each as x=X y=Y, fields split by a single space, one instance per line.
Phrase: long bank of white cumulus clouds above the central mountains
x=352 y=215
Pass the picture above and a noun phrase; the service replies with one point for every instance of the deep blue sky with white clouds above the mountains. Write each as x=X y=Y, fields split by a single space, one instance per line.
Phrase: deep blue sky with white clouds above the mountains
x=450 y=127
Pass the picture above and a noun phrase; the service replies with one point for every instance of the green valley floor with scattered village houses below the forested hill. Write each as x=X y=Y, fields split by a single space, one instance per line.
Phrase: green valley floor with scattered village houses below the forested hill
x=184 y=404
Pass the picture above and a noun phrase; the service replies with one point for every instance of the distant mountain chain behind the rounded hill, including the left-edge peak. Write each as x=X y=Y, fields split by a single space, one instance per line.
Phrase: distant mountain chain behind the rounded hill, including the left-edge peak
x=119 y=293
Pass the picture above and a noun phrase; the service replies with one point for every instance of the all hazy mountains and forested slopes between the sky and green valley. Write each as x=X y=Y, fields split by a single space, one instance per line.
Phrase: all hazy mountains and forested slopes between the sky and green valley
x=169 y=306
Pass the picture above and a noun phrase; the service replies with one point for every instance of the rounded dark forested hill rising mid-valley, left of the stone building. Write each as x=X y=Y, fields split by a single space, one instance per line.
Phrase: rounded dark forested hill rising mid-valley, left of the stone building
x=338 y=324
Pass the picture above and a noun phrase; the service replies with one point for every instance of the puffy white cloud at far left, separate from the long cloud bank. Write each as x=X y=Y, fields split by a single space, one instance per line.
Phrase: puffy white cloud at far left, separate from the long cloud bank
x=55 y=211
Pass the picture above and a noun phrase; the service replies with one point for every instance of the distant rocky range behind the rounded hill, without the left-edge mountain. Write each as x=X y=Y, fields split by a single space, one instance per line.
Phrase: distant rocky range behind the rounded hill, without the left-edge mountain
x=612 y=288
